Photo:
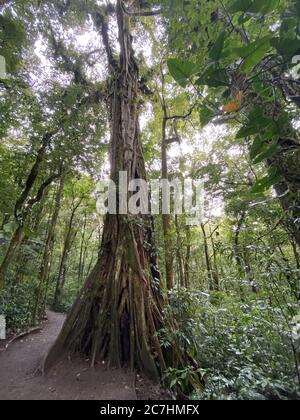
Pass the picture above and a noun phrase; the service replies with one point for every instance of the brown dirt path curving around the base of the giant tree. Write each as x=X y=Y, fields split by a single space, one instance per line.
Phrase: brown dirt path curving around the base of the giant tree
x=70 y=380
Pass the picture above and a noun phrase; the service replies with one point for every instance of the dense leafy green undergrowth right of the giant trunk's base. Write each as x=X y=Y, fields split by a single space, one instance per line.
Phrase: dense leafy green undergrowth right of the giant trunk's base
x=243 y=348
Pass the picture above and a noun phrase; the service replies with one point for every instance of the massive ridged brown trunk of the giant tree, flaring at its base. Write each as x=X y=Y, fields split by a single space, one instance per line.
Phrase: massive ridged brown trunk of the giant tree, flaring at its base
x=118 y=312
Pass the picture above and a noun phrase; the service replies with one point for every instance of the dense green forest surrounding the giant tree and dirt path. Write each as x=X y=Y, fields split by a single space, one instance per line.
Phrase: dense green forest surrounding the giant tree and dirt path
x=218 y=97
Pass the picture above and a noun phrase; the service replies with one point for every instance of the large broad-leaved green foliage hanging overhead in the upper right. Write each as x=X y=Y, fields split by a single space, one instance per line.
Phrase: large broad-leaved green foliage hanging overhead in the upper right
x=249 y=56
